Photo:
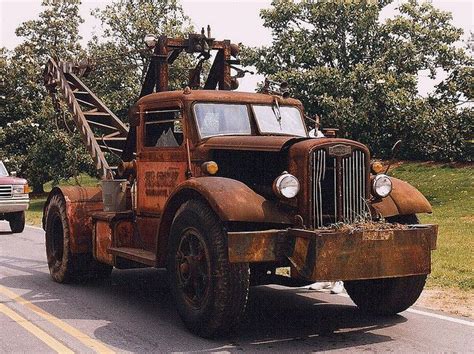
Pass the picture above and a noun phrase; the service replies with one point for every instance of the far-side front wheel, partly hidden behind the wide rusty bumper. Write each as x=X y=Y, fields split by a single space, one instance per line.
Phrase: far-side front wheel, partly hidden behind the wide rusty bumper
x=387 y=296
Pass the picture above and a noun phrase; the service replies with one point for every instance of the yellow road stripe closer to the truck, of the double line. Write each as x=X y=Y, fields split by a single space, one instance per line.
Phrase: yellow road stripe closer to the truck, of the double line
x=92 y=343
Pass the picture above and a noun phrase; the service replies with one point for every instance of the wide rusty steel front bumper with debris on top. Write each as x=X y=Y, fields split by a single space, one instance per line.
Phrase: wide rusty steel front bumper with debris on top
x=340 y=255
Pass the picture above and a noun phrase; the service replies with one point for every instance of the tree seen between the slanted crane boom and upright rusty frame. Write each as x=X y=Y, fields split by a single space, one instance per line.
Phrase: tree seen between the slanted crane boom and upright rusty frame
x=121 y=58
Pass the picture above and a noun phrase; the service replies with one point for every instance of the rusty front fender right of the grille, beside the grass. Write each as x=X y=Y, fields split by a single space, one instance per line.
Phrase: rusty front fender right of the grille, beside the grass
x=404 y=200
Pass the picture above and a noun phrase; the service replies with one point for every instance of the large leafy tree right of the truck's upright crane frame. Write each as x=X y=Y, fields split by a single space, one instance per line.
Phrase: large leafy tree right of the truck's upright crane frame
x=361 y=75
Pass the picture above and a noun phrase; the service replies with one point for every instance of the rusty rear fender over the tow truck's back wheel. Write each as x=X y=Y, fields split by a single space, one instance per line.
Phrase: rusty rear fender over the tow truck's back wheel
x=81 y=202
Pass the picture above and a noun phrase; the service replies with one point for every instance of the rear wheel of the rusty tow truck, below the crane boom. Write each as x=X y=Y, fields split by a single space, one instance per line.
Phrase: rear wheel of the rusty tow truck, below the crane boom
x=64 y=266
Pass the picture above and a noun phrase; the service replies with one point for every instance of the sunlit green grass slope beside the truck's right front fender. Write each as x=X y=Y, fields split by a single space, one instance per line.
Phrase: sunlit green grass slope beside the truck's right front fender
x=451 y=193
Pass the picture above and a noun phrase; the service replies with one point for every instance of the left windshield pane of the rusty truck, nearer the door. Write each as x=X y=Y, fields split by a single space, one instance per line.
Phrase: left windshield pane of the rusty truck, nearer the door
x=222 y=119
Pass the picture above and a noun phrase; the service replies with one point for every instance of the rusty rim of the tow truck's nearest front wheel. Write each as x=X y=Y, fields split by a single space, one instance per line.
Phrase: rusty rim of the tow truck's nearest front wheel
x=193 y=267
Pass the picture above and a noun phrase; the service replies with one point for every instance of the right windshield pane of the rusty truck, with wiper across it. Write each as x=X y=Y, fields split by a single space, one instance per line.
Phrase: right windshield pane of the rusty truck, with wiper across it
x=279 y=120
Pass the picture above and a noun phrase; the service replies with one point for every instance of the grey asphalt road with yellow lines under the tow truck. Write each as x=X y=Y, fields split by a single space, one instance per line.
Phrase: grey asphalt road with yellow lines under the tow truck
x=134 y=312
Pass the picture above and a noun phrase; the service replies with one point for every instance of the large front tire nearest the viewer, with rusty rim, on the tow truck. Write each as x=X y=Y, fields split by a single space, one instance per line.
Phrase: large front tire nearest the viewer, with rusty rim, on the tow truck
x=210 y=293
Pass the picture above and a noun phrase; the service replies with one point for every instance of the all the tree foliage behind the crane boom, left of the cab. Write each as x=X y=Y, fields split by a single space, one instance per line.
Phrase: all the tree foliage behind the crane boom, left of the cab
x=37 y=141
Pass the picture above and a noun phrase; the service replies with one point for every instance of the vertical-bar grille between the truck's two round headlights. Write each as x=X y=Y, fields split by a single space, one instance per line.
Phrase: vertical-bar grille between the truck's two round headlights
x=326 y=206
